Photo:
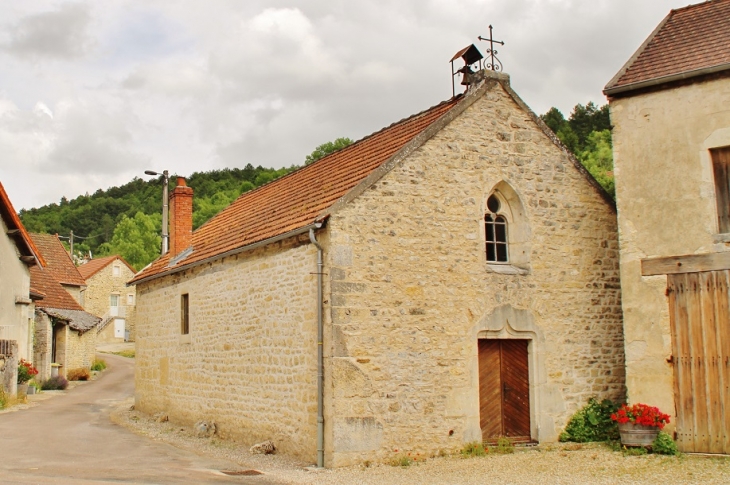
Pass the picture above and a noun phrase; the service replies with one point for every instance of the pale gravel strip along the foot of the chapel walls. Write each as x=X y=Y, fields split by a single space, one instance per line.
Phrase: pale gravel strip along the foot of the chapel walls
x=549 y=464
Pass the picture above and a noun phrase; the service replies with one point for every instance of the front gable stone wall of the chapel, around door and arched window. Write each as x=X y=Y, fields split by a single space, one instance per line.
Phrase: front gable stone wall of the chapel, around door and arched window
x=411 y=292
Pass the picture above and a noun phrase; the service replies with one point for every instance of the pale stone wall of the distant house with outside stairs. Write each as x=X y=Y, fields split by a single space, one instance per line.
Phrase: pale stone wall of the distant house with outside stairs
x=100 y=287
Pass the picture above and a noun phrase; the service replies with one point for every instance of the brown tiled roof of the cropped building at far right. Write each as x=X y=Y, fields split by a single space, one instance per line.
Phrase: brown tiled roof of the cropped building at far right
x=689 y=39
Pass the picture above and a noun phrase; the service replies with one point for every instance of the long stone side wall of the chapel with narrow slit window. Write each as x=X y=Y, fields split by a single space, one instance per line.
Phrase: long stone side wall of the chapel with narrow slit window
x=249 y=361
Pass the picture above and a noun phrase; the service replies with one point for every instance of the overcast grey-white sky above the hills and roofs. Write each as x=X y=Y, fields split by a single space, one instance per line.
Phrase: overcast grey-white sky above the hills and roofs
x=93 y=93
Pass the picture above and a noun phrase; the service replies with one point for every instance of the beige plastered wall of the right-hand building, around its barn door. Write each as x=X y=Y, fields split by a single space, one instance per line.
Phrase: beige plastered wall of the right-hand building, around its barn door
x=665 y=192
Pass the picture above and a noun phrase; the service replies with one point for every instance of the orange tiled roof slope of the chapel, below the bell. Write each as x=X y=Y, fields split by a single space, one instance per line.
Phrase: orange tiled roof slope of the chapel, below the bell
x=297 y=199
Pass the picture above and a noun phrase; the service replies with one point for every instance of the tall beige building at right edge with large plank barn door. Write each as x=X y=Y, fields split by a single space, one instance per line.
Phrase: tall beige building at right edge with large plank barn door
x=670 y=108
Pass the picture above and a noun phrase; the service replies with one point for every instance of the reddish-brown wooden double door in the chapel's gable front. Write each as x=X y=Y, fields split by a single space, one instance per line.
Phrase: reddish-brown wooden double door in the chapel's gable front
x=504 y=389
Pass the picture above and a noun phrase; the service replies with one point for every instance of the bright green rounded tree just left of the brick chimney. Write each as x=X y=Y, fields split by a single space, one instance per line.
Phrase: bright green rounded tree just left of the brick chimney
x=136 y=239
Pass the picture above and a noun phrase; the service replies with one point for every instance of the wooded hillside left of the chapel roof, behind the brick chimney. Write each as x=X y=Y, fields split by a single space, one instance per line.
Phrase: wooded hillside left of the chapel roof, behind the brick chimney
x=127 y=220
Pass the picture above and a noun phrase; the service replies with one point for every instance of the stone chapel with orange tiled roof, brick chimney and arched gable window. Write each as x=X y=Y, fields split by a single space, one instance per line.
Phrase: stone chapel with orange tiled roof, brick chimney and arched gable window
x=469 y=289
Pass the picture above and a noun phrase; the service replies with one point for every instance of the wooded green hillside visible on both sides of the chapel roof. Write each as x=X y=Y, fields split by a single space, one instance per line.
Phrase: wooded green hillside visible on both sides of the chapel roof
x=127 y=220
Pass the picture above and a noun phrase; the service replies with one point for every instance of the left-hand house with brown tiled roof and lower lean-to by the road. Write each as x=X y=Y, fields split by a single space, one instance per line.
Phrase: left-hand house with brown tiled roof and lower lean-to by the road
x=64 y=332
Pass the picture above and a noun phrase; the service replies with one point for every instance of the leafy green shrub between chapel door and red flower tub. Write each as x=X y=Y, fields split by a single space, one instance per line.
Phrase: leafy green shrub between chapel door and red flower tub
x=592 y=423
